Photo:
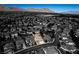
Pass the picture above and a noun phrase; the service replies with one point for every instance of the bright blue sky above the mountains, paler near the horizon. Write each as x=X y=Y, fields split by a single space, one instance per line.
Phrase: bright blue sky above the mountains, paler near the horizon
x=53 y=7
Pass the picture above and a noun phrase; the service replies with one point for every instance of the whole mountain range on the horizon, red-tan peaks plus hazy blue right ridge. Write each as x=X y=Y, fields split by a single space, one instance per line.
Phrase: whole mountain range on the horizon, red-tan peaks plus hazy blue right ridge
x=4 y=8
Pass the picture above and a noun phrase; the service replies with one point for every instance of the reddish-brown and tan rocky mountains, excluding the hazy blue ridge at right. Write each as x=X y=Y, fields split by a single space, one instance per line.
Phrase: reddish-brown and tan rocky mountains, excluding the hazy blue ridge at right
x=3 y=8
